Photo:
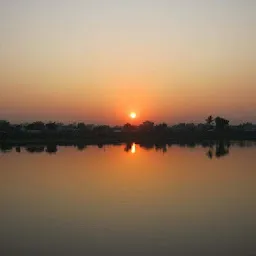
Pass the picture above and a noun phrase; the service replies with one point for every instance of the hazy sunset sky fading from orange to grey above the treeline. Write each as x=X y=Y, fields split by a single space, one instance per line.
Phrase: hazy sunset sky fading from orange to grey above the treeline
x=97 y=60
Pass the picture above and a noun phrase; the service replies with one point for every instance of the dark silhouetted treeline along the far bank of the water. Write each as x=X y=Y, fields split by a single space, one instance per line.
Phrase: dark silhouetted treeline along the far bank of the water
x=211 y=128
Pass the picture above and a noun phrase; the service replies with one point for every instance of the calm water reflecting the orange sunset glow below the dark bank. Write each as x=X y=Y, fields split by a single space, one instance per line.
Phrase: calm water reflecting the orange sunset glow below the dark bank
x=129 y=200
